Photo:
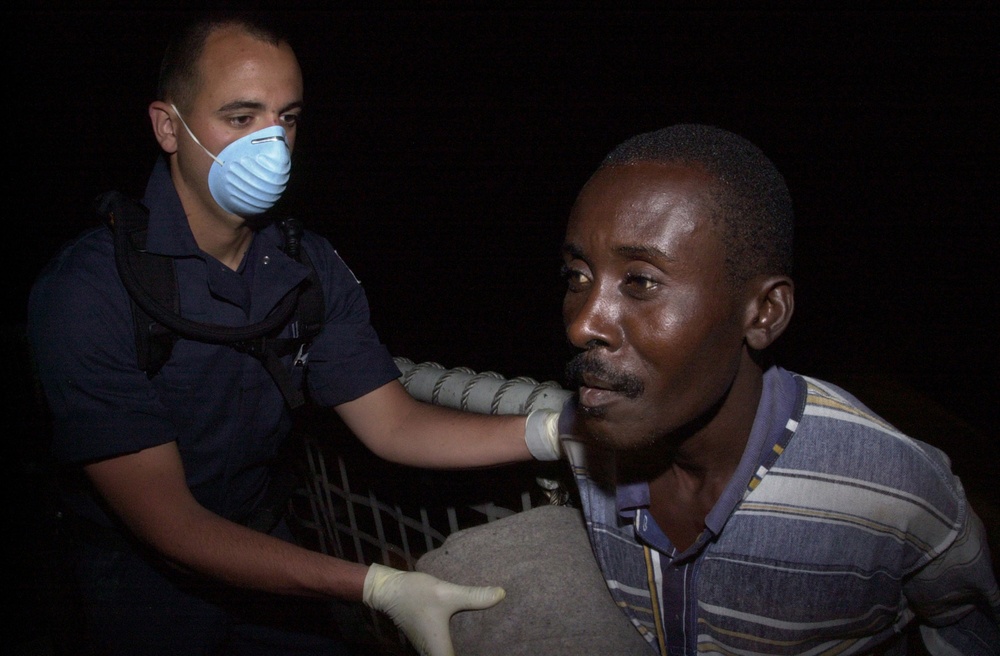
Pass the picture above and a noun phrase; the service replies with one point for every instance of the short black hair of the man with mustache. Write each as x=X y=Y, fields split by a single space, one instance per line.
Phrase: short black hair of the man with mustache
x=753 y=207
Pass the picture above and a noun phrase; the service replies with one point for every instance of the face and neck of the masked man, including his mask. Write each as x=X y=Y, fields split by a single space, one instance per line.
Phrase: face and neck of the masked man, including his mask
x=236 y=100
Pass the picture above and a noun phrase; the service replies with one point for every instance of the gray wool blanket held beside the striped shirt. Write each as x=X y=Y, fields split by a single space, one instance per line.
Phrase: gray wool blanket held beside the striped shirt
x=557 y=602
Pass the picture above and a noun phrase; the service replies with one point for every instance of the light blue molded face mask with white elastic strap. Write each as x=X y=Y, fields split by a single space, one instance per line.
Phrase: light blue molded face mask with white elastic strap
x=250 y=174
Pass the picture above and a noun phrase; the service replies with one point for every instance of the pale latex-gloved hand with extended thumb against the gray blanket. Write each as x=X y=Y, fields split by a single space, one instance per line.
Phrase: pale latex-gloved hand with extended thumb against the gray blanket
x=422 y=605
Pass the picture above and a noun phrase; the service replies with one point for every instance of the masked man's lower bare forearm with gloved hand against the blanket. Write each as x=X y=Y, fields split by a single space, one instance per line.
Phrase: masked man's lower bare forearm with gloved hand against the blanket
x=148 y=491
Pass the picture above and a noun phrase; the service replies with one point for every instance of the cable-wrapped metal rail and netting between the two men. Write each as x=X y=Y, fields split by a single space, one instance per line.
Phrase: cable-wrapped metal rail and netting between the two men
x=358 y=507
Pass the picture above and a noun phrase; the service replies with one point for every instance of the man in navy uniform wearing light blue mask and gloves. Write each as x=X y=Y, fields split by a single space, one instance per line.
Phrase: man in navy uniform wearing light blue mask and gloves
x=169 y=469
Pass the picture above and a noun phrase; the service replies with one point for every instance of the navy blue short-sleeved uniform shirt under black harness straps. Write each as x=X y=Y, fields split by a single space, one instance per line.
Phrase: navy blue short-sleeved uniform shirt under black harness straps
x=221 y=407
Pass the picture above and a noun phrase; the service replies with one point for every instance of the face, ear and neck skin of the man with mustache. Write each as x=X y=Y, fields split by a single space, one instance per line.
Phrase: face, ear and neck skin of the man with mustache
x=648 y=302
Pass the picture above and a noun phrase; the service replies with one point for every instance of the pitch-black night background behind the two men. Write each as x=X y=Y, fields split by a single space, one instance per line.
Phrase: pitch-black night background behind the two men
x=442 y=149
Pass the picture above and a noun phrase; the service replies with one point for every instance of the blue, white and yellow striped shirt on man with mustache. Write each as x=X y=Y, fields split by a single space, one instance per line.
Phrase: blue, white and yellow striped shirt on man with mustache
x=836 y=534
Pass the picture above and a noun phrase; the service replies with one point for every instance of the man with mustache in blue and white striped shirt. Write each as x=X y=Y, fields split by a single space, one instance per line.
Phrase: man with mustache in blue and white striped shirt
x=735 y=507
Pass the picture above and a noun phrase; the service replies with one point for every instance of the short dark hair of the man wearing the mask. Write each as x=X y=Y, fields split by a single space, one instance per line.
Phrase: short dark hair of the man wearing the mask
x=179 y=80
